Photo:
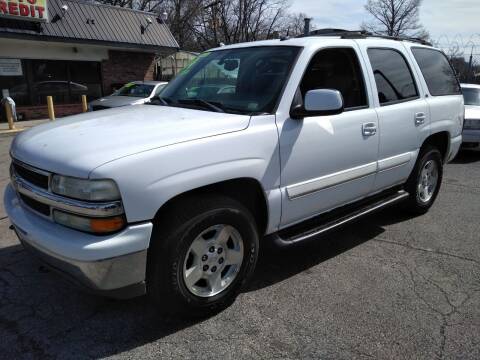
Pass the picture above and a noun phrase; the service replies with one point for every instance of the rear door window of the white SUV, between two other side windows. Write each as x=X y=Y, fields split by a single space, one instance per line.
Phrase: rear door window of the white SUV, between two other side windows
x=393 y=76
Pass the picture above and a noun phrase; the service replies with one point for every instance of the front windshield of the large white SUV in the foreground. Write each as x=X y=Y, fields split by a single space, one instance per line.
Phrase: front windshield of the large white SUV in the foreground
x=243 y=80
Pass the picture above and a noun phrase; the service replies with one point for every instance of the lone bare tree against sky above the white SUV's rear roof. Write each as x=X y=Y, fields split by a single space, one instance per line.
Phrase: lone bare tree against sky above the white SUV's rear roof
x=395 y=18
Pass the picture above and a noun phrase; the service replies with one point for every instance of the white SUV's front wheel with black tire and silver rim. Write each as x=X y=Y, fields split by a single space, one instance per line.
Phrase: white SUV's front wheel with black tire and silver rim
x=202 y=253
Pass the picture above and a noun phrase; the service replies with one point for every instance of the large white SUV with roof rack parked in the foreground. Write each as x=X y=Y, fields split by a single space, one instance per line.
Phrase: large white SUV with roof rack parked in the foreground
x=277 y=140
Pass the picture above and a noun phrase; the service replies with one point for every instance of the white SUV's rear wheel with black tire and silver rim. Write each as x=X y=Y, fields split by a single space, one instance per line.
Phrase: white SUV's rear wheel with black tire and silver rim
x=425 y=180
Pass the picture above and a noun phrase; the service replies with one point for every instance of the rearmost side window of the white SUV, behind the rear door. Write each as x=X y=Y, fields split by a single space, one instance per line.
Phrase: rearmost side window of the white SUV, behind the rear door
x=437 y=71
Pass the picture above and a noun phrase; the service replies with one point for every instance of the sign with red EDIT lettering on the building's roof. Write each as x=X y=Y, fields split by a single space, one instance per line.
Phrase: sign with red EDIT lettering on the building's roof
x=29 y=10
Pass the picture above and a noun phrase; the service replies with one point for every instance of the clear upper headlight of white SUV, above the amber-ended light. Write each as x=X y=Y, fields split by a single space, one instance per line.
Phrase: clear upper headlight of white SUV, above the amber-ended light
x=90 y=190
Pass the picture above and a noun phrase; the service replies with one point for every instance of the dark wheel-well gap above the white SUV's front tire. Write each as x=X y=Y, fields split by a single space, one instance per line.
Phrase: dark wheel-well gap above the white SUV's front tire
x=247 y=191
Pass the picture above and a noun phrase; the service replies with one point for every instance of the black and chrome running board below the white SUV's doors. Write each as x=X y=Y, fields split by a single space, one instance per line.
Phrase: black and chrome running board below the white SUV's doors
x=336 y=218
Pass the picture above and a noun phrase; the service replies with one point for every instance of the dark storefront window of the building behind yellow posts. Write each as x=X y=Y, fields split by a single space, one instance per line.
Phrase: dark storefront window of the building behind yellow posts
x=65 y=81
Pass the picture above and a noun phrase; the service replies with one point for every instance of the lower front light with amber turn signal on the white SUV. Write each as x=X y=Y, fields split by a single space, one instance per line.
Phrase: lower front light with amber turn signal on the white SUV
x=91 y=225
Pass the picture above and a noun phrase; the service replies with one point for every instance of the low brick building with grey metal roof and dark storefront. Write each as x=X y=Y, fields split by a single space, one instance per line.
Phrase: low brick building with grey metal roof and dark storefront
x=75 y=48
